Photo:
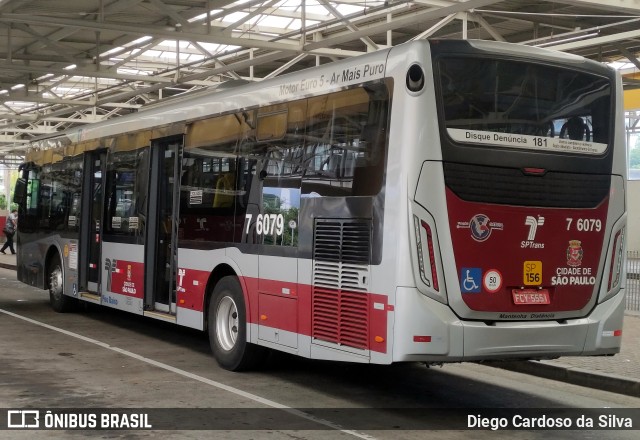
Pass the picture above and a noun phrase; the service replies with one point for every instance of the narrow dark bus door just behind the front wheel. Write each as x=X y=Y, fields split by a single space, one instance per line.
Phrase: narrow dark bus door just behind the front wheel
x=91 y=230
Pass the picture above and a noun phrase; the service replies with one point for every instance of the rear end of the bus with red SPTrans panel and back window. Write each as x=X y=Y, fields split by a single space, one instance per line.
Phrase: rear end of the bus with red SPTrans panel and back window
x=519 y=214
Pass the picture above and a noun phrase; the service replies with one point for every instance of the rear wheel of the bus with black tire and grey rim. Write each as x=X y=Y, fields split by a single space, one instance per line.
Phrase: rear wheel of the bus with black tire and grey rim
x=227 y=325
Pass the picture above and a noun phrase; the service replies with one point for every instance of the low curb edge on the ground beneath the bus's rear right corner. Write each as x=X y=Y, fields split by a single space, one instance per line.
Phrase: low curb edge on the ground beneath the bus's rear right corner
x=573 y=375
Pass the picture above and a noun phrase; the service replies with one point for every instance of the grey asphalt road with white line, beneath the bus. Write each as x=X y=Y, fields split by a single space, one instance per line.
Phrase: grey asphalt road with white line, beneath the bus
x=101 y=361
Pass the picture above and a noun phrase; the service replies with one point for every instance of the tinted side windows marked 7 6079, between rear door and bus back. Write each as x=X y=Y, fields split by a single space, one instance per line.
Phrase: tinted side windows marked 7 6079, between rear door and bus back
x=244 y=175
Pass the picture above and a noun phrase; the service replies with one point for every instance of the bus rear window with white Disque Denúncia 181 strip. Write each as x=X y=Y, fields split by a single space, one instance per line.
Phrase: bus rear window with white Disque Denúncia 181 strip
x=524 y=105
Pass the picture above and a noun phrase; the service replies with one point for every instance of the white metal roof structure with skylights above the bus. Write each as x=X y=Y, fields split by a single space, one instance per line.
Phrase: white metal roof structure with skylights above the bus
x=68 y=62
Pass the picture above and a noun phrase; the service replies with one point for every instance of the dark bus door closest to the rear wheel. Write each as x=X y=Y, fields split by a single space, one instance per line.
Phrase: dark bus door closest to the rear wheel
x=161 y=249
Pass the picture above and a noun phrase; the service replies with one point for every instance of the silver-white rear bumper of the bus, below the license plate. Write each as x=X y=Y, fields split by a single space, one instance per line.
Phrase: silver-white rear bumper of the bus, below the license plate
x=451 y=339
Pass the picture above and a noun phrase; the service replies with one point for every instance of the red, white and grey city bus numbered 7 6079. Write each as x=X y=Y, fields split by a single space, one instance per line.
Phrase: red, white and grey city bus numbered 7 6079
x=438 y=201
